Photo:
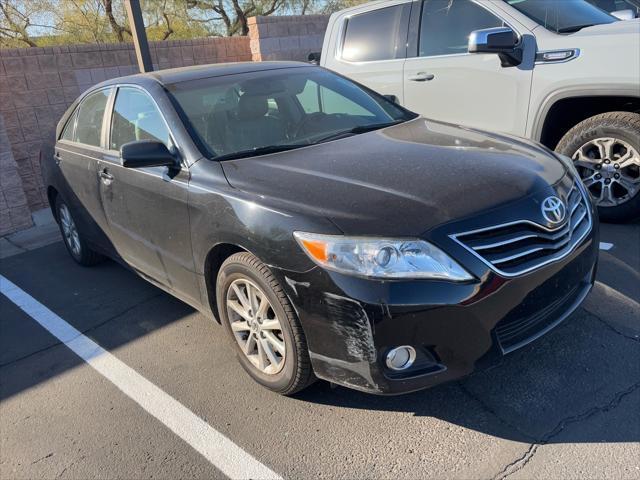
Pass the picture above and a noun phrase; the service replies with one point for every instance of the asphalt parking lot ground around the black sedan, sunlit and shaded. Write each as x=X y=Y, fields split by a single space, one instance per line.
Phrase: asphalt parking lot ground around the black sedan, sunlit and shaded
x=565 y=406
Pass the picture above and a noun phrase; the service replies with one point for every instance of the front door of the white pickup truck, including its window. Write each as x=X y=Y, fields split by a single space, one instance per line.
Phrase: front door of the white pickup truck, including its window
x=444 y=82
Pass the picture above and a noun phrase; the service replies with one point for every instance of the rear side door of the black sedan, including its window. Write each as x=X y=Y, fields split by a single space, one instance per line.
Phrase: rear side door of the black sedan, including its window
x=76 y=153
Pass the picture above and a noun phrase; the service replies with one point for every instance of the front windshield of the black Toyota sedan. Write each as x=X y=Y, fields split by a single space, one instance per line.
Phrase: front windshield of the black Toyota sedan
x=262 y=112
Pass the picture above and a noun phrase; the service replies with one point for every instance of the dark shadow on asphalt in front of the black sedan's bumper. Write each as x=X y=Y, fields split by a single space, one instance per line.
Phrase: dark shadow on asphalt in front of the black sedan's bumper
x=539 y=394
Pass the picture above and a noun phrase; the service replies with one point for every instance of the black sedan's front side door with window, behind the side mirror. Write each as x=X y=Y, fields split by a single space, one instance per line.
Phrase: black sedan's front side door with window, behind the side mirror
x=146 y=208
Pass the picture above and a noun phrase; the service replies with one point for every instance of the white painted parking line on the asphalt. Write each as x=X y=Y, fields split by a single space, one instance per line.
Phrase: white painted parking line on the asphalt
x=225 y=455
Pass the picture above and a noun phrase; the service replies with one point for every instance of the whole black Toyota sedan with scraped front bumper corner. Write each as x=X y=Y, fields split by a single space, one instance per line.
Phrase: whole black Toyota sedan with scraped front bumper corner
x=333 y=233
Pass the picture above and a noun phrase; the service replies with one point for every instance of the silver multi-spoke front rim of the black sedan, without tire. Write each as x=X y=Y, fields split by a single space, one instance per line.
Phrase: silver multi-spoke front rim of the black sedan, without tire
x=255 y=326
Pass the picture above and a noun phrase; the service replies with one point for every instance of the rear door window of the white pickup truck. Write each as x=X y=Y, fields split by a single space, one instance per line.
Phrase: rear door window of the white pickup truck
x=377 y=35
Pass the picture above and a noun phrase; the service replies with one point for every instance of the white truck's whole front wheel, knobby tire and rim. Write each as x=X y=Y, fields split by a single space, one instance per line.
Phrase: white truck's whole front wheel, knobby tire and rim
x=606 y=151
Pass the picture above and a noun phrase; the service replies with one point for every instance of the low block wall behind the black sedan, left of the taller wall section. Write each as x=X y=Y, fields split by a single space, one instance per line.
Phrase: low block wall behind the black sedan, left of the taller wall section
x=38 y=84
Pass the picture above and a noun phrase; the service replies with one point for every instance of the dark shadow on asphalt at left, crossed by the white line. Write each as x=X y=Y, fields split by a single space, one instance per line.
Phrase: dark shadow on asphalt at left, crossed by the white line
x=91 y=300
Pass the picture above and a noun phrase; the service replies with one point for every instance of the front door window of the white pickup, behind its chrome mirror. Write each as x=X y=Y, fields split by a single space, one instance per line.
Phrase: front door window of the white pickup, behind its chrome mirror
x=445 y=25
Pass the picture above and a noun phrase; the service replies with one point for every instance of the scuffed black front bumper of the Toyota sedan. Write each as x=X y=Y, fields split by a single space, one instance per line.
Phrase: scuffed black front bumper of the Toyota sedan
x=351 y=323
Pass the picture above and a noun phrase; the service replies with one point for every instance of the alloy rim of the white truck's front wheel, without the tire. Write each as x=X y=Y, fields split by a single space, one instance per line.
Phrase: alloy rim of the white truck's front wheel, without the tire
x=610 y=169
